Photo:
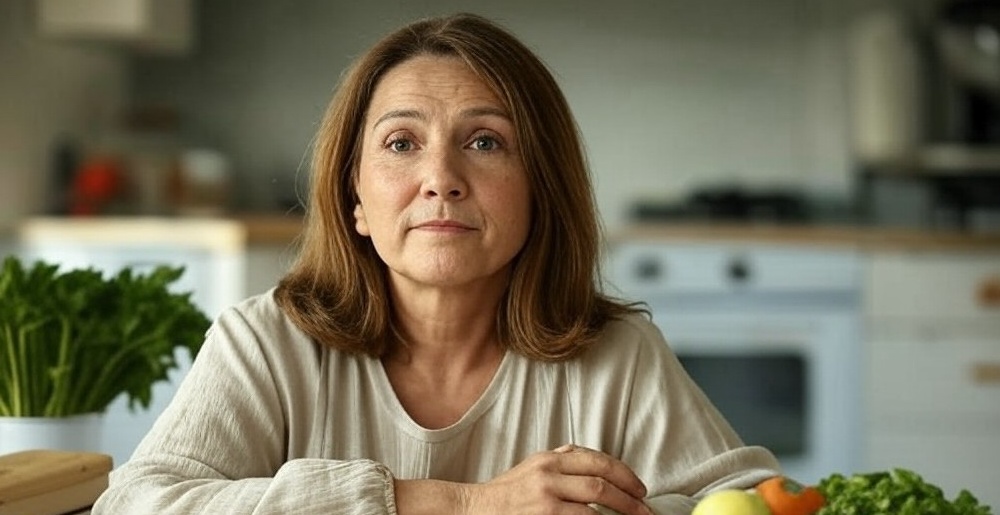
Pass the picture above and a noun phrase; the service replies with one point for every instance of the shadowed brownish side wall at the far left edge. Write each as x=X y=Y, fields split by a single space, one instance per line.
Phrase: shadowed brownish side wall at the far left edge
x=46 y=89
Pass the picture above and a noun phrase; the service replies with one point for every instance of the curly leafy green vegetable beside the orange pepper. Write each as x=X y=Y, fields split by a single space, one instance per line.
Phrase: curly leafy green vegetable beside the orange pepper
x=896 y=492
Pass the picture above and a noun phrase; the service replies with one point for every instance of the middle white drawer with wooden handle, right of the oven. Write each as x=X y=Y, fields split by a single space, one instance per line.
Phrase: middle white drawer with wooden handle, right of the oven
x=934 y=380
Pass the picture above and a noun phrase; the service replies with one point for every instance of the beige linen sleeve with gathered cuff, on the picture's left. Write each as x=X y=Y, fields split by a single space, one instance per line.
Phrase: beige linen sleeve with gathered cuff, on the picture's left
x=229 y=439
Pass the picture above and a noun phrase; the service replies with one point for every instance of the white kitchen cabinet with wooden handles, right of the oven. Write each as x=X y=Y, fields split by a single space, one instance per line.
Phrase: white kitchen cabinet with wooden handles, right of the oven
x=933 y=367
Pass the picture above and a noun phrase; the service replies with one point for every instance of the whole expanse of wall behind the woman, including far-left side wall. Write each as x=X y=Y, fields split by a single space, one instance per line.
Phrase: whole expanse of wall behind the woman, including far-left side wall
x=672 y=95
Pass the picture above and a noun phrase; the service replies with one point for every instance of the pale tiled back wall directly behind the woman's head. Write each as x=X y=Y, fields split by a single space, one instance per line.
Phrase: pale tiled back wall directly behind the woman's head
x=669 y=94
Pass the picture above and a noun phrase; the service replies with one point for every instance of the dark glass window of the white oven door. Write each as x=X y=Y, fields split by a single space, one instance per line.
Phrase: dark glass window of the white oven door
x=763 y=396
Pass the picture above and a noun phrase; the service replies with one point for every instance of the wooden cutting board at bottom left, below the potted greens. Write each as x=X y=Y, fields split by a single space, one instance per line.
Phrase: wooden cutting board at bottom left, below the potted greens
x=44 y=482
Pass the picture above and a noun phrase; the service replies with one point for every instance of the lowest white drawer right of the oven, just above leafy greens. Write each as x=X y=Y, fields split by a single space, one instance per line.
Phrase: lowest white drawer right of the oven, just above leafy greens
x=951 y=461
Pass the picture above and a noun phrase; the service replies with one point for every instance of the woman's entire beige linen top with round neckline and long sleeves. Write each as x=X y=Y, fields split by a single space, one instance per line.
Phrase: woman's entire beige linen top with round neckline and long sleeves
x=269 y=422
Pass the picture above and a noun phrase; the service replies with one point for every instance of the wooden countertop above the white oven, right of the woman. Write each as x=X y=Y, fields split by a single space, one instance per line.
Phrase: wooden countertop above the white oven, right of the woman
x=862 y=238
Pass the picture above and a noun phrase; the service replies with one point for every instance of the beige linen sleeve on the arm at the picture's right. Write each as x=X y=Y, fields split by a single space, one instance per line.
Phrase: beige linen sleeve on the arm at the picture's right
x=669 y=433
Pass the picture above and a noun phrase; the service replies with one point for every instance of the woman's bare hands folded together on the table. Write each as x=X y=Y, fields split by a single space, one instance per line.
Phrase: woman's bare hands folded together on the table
x=563 y=481
